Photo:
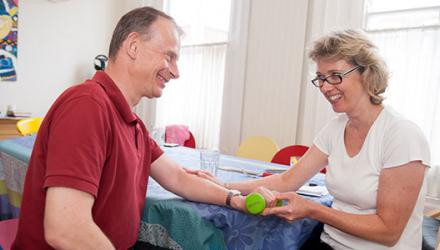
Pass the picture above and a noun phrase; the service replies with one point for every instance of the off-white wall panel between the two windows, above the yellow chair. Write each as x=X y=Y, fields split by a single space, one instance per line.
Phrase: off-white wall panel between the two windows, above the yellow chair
x=274 y=66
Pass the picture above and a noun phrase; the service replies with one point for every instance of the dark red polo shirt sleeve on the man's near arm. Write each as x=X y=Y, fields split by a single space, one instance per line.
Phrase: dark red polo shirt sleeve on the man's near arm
x=77 y=145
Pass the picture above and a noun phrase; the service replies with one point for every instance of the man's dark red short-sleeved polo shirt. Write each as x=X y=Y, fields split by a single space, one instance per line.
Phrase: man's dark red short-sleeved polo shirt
x=90 y=140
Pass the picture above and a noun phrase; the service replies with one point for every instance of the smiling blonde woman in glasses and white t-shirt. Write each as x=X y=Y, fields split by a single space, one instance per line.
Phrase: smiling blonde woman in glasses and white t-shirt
x=376 y=159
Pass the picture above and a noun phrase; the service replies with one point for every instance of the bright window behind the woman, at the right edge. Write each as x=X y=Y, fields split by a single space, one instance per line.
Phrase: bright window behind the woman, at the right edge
x=407 y=33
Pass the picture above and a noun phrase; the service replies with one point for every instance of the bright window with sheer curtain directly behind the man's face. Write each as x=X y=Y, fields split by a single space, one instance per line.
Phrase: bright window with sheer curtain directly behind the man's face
x=195 y=99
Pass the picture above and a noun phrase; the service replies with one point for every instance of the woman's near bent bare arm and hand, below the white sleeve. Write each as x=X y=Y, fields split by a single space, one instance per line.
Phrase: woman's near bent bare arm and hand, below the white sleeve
x=397 y=195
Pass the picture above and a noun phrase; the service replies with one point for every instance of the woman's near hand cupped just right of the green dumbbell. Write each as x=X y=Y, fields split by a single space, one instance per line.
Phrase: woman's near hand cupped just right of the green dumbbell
x=296 y=208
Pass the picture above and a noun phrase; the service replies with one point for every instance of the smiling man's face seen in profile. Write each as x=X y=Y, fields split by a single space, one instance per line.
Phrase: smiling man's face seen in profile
x=156 y=62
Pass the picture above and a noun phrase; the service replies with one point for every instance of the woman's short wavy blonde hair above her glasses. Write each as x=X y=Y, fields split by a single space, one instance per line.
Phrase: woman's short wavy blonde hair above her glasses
x=354 y=47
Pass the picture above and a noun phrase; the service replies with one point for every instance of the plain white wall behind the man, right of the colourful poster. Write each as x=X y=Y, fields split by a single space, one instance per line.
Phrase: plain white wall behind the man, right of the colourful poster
x=57 y=42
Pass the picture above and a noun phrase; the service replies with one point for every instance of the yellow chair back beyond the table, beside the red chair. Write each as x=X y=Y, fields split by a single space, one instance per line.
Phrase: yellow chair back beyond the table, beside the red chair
x=258 y=147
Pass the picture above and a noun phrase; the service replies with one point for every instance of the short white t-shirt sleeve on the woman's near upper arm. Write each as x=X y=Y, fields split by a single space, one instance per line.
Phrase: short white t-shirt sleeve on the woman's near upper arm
x=404 y=142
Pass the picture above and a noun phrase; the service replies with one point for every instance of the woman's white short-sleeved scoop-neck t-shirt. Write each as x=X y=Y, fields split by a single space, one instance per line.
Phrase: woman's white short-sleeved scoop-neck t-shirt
x=391 y=141
